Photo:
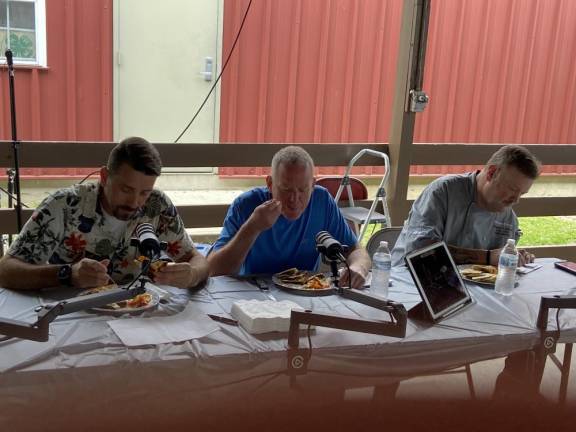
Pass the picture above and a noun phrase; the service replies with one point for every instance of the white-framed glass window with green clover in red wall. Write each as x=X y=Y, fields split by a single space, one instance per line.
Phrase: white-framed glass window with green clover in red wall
x=22 y=29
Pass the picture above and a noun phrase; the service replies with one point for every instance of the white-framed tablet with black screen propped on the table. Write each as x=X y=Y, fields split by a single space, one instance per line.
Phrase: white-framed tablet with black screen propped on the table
x=438 y=280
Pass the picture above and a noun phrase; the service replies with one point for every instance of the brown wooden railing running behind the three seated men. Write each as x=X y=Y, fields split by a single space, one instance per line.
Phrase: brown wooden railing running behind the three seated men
x=90 y=154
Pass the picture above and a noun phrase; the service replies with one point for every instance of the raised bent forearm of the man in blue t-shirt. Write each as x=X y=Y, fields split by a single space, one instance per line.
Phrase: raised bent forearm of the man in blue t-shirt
x=229 y=259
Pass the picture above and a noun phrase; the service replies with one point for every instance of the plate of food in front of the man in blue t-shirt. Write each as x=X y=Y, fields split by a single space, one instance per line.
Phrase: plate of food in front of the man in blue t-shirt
x=303 y=282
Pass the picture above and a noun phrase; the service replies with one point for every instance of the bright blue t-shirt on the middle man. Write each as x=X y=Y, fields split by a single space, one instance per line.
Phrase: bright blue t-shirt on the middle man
x=289 y=243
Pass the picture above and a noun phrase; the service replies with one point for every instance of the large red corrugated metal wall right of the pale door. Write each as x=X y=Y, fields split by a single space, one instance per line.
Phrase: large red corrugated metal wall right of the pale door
x=497 y=71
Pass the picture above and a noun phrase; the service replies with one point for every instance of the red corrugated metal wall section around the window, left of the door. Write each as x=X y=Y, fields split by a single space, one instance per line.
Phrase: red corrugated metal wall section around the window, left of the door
x=72 y=98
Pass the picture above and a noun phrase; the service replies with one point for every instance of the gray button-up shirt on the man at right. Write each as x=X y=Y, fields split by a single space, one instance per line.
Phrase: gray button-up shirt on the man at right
x=446 y=210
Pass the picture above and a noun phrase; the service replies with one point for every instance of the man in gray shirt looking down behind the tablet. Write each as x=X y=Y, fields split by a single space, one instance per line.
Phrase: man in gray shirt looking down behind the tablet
x=472 y=212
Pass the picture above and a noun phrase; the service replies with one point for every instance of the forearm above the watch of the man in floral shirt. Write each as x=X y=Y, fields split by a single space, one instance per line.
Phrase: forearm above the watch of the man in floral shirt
x=19 y=275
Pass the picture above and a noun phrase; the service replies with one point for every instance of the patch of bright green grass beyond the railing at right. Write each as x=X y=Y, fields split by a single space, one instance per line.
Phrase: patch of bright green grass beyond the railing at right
x=549 y=230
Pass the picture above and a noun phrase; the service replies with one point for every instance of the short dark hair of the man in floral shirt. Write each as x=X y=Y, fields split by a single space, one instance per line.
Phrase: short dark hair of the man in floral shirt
x=138 y=153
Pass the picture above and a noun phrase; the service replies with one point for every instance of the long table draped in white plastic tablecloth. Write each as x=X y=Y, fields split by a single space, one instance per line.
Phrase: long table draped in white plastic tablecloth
x=85 y=368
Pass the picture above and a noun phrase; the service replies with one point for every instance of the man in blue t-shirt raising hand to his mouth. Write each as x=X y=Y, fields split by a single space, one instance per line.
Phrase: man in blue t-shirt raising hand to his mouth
x=273 y=228
